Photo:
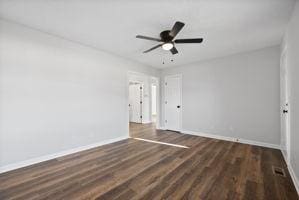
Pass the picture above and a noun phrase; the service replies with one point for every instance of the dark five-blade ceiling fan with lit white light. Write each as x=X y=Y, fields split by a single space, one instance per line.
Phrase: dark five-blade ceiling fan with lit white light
x=167 y=39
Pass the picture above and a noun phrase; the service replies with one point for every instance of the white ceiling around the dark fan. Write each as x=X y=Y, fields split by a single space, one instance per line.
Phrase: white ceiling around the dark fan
x=227 y=26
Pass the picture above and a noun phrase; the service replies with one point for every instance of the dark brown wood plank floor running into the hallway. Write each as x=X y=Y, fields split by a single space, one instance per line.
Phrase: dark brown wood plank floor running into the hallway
x=134 y=169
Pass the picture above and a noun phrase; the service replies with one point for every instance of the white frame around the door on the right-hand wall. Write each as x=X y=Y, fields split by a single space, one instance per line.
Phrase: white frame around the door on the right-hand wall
x=287 y=92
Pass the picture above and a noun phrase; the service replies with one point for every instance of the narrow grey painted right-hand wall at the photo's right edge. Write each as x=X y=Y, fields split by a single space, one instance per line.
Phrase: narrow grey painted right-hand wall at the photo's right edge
x=291 y=43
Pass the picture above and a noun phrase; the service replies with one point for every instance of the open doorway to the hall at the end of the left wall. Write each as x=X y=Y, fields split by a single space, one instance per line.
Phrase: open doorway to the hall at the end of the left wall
x=143 y=100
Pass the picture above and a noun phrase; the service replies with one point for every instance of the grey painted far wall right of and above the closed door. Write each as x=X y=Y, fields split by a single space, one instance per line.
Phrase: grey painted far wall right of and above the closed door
x=235 y=96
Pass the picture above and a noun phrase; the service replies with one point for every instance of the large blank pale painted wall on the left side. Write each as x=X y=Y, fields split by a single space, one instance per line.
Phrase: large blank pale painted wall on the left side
x=57 y=95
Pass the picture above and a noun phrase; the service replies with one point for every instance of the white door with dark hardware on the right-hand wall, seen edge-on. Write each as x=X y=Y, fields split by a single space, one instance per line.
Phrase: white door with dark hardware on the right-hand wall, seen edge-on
x=285 y=125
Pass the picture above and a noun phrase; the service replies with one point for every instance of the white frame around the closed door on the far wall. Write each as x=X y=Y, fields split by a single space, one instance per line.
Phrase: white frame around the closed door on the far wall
x=180 y=76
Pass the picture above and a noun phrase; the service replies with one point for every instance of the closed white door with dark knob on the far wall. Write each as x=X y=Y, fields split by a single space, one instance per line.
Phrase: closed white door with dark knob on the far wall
x=173 y=102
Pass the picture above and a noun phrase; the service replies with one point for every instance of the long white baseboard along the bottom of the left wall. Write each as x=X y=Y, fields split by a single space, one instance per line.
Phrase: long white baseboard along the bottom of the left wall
x=36 y=160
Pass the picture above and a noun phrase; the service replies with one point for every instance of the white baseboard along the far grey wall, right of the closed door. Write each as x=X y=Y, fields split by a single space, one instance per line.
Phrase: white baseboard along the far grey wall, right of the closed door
x=231 y=139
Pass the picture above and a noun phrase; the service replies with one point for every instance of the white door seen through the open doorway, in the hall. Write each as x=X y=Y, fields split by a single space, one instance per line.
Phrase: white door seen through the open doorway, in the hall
x=135 y=99
